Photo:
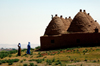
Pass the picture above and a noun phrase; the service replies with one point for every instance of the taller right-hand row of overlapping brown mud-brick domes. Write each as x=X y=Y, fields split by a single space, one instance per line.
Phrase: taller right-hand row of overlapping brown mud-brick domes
x=83 y=22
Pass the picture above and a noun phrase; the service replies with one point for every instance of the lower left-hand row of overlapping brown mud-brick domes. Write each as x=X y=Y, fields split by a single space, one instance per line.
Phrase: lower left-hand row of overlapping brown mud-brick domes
x=58 y=25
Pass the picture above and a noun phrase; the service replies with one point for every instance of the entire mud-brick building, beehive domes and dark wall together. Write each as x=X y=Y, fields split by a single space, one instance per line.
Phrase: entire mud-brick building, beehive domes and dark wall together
x=82 y=30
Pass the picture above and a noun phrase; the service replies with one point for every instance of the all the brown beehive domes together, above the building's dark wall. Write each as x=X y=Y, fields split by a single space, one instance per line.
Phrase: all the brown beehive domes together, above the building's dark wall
x=82 y=22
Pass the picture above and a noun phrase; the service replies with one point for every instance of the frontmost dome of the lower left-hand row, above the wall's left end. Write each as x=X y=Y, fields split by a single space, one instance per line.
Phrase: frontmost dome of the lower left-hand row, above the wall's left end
x=55 y=27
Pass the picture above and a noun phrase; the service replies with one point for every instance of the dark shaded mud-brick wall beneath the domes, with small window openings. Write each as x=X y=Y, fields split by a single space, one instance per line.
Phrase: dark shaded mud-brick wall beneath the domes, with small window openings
x=70 y=40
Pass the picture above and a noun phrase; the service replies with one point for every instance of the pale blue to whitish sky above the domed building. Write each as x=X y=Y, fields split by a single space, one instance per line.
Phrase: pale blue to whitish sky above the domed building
x=25 y=20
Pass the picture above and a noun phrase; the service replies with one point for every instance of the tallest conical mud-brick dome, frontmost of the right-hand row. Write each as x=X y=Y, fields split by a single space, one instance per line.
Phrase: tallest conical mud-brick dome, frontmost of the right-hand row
x=80 y=23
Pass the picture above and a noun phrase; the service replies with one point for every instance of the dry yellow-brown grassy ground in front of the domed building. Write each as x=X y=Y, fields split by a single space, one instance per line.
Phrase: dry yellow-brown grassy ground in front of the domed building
x=67 y=57
